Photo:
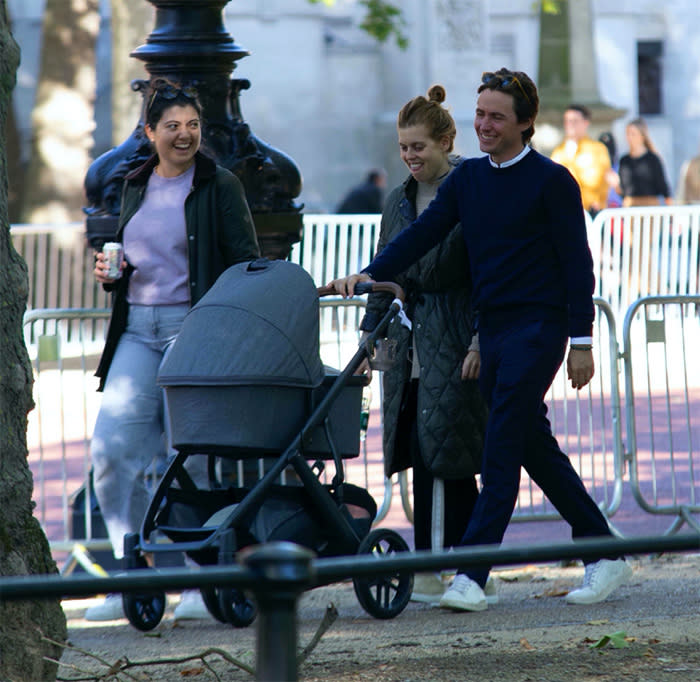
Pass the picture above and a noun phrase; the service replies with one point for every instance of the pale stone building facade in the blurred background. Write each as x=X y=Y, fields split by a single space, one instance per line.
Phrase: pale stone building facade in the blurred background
x=327 y=94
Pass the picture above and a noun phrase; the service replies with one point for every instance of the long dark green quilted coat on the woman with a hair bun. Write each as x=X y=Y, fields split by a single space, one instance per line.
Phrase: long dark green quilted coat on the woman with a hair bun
x=451 y=414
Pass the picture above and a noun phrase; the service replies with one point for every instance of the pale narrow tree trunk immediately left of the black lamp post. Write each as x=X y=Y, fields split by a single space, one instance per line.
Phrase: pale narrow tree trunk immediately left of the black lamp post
x=132 y=21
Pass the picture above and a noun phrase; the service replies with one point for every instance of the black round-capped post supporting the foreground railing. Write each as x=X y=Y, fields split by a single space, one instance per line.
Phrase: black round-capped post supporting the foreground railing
x=284 y=571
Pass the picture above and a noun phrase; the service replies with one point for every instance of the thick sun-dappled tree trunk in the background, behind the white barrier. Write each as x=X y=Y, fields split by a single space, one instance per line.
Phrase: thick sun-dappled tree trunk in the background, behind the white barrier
x=63 y=116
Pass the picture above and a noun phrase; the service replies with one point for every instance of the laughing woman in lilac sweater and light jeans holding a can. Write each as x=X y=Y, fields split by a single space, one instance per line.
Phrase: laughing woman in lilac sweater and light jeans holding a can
x=183 y=221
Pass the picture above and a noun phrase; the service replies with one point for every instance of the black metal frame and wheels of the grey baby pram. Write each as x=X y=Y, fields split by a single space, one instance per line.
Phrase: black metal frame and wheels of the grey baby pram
x=381 y=597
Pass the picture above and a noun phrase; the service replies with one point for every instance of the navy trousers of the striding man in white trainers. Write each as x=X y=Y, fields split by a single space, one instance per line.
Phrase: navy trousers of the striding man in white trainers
x=521 y=352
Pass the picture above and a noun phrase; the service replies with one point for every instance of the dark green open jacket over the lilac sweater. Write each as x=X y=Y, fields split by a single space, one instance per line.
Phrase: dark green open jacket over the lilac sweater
x=220 y=233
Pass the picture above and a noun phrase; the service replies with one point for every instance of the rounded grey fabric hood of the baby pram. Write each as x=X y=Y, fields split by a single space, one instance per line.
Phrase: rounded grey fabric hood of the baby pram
x=258 y=325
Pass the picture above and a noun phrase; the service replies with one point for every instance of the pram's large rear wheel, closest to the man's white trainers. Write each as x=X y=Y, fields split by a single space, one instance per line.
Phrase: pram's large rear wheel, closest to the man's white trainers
x=383 y=596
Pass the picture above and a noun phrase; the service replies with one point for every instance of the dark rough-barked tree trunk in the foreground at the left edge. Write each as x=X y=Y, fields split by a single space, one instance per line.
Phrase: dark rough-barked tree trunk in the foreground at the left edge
x=24 y=549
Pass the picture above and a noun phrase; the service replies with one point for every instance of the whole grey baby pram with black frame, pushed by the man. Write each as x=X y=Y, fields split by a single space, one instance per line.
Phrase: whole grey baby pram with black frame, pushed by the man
x=243 y=382
